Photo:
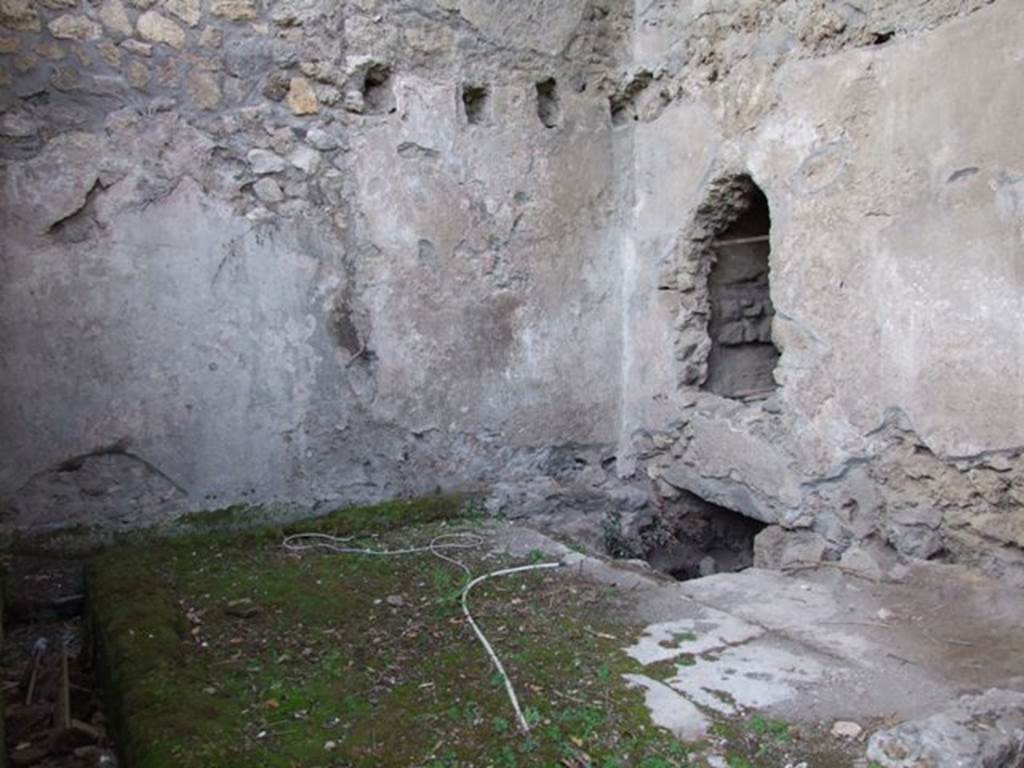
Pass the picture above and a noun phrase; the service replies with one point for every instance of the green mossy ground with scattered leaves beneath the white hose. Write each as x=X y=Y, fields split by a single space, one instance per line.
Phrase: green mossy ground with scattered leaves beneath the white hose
x=329 y=672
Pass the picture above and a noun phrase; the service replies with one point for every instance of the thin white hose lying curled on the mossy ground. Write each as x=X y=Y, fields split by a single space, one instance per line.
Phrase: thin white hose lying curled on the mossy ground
x=310 y=542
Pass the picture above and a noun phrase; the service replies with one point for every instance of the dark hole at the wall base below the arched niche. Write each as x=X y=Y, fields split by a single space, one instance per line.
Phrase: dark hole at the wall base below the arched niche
x=696 y=538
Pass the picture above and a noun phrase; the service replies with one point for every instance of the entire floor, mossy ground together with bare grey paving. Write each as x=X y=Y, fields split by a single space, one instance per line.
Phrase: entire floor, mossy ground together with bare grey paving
x=225 y=650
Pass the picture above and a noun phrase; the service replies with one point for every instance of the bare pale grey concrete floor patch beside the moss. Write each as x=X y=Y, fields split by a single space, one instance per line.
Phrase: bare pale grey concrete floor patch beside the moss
x=825 y=646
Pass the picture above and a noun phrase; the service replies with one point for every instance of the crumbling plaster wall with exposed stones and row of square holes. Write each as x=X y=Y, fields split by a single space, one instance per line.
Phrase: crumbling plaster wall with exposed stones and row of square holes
x=253 y=251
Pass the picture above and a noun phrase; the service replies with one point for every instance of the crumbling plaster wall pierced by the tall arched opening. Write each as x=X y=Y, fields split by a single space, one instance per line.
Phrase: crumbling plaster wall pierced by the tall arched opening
x=894 y=178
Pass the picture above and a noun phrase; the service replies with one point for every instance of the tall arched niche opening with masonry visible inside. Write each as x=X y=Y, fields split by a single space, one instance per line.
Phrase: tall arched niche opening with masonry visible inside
x=743 y=358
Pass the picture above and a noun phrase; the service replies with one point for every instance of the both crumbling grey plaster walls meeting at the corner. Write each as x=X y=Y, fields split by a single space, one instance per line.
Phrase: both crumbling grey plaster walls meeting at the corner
x=317 y=252
